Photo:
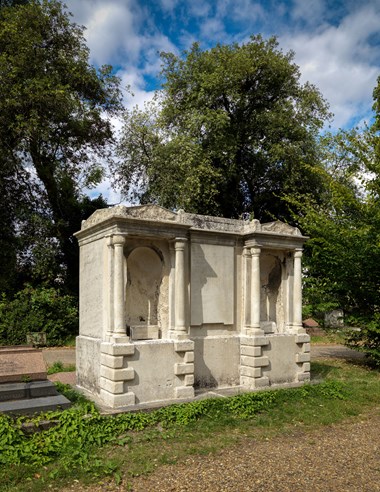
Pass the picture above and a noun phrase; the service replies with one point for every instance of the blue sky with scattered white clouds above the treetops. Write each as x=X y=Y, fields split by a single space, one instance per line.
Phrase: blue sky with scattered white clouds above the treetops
x=336 y=42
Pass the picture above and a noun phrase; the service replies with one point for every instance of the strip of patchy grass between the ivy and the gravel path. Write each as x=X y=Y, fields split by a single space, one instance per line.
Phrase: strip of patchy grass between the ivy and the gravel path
x=349 y=389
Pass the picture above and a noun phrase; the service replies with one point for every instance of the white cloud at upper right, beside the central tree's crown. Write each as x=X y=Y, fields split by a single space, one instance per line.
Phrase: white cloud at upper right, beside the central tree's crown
x=339 y=61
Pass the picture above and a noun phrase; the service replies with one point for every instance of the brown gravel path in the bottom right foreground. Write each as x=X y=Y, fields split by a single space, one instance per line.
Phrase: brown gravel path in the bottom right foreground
x=344 y=457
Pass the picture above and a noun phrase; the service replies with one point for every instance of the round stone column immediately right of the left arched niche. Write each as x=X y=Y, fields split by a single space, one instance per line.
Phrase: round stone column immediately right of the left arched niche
x=180 y=287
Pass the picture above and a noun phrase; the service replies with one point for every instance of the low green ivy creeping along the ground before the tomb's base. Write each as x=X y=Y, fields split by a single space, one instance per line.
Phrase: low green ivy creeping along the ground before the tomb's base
x=80 y=428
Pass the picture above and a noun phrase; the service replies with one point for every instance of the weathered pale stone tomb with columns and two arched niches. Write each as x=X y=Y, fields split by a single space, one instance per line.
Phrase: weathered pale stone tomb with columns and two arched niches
x=172 y=303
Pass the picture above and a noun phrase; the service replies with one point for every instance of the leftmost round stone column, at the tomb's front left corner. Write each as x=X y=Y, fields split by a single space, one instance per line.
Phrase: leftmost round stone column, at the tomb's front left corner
x=119 y=287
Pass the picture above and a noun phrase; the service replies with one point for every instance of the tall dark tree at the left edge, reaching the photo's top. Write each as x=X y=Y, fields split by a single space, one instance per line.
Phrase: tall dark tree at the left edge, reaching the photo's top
x=54 y=121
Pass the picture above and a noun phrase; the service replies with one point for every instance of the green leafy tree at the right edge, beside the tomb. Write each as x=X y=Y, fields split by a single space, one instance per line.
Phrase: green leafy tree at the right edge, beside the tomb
x=342 y=256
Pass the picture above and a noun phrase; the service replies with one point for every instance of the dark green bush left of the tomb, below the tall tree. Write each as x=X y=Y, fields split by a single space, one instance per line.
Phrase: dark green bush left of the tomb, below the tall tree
x=38 y=309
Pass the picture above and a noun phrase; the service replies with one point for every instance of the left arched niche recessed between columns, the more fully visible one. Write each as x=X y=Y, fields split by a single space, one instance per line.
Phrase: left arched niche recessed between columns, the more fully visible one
x=144 y=277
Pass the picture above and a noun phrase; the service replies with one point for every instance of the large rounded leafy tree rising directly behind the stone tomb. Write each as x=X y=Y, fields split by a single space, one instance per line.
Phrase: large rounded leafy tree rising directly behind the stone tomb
x=231 y=131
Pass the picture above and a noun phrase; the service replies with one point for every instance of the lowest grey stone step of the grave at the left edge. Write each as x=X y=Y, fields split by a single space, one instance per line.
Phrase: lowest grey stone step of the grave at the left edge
x=35 y=405
